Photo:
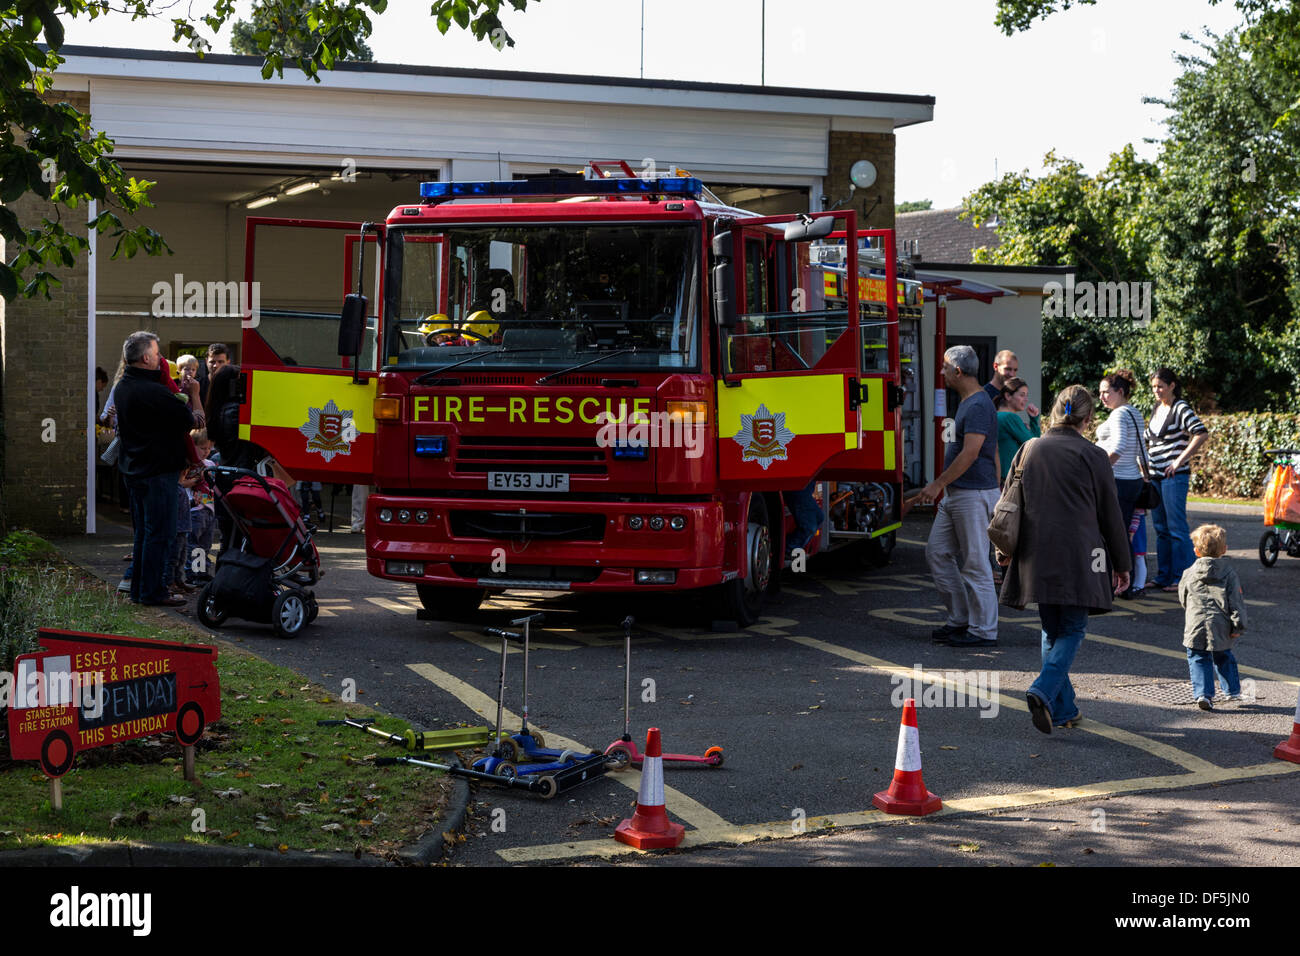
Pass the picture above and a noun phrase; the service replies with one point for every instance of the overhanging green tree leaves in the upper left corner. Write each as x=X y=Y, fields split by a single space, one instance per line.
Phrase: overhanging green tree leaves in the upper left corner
x=50 y=150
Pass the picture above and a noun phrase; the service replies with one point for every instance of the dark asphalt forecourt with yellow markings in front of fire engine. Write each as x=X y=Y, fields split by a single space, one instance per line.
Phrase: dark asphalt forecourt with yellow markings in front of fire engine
x=807 y=708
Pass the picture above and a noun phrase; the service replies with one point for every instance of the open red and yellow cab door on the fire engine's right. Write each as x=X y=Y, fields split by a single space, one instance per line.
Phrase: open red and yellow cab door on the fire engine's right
x=788 y=357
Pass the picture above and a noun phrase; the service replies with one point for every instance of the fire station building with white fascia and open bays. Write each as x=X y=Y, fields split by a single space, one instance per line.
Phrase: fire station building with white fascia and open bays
x=222 y=145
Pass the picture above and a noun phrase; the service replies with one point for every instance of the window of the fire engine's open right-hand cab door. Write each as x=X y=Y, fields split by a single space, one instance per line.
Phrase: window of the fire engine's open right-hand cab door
x=788 y=319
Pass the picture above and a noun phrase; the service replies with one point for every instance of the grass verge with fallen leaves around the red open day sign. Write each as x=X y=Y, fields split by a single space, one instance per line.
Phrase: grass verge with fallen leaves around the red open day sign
x=267 y=775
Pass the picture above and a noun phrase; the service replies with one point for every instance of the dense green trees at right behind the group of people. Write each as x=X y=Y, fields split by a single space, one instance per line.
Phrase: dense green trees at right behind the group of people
x=1214 y=223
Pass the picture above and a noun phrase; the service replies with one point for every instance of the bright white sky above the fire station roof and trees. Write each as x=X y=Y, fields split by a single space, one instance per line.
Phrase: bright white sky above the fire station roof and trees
x=1073 y=84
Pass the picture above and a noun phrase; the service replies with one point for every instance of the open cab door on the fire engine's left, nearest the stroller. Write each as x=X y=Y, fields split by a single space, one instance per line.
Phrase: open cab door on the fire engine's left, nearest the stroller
x=307 y=406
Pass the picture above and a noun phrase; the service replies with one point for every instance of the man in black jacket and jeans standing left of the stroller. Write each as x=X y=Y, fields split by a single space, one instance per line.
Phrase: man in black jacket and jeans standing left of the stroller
x=153 y=425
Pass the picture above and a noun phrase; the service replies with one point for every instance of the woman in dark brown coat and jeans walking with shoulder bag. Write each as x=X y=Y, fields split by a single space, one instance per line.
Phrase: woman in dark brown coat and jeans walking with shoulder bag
x=1073 y=550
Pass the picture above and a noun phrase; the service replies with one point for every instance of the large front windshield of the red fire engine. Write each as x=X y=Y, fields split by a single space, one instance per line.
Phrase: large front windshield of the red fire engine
x=544 y=296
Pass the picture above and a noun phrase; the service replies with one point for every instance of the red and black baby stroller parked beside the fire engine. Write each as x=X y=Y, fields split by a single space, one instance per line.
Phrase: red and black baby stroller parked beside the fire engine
x=267 y=569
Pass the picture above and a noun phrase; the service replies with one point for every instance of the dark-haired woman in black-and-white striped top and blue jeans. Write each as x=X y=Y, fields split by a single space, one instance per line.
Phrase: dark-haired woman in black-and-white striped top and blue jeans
x=1173 y=438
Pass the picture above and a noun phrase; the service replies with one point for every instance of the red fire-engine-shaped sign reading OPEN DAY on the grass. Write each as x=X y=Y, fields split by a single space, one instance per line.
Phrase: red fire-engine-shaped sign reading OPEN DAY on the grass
x=92 y=690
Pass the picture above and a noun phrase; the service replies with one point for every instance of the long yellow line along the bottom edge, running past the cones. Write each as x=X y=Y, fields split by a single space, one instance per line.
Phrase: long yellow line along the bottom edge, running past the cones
x=824 y=825
